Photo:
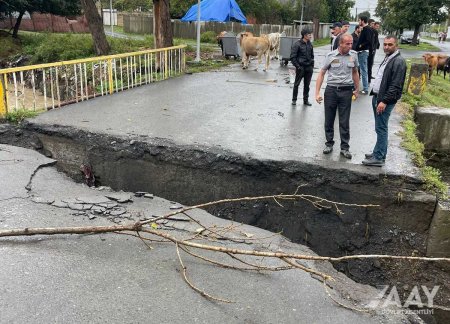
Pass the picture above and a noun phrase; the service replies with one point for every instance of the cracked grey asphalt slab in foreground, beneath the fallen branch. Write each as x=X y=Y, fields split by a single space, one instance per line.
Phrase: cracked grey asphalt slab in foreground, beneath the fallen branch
x=117 y=279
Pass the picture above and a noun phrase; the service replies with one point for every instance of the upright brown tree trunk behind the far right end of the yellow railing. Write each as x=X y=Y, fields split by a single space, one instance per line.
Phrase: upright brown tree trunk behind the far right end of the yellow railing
x=162 y=25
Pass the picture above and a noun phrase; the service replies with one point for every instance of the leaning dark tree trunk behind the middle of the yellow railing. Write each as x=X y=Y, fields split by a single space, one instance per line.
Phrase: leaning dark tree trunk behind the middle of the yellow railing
x=96 y=27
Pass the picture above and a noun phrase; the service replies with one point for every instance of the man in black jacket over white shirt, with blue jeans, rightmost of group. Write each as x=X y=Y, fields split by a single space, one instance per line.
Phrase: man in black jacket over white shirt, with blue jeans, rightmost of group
x=387 y=90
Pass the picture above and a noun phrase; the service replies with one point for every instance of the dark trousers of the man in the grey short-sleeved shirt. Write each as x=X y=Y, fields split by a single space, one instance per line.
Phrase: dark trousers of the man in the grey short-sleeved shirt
x=338 y=100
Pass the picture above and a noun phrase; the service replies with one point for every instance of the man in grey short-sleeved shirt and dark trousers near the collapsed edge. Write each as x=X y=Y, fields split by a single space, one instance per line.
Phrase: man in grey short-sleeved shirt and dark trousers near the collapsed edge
x=342 y=83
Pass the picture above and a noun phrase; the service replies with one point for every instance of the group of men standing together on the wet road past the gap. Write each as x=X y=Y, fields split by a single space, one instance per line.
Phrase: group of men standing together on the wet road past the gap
x=350 y=59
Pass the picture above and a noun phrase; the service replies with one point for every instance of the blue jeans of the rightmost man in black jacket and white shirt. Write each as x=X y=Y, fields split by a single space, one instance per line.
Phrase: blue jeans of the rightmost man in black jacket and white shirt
x=381 y=128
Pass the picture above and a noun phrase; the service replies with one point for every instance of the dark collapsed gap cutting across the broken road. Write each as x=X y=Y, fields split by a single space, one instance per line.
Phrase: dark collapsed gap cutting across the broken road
x=191 y=175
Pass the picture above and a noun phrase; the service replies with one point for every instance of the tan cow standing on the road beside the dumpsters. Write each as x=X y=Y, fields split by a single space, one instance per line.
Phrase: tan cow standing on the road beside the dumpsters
x=254 y=46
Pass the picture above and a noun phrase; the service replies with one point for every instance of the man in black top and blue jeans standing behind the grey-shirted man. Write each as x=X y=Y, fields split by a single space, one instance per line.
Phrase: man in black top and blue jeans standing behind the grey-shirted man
x=364 y=47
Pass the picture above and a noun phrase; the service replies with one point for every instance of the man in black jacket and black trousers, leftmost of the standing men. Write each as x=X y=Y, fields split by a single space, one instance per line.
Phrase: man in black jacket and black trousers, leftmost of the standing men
x=302 y=57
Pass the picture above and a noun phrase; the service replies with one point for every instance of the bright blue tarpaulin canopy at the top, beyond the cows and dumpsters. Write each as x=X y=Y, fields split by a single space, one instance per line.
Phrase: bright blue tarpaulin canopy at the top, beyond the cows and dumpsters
x=216 y=10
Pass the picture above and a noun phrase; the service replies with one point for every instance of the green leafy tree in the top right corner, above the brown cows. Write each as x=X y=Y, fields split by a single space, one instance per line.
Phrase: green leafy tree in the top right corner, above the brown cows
x=401 y=14
